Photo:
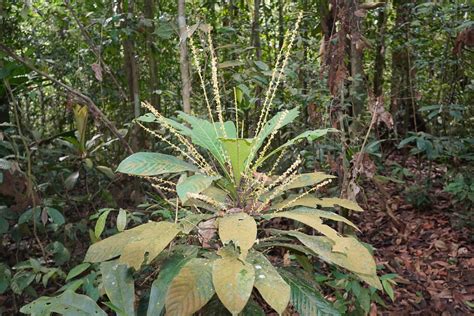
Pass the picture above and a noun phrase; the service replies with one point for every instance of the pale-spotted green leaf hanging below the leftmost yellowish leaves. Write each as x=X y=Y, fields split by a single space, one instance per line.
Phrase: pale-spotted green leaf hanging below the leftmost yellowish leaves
x=119 y=286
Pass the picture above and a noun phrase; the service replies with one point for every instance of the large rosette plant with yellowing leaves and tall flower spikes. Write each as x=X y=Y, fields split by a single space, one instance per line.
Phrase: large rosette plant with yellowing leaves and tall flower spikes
x=225 y=203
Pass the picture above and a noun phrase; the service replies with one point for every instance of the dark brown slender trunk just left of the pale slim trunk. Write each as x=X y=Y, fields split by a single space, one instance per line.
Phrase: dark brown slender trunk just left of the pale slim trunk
x=150 y=38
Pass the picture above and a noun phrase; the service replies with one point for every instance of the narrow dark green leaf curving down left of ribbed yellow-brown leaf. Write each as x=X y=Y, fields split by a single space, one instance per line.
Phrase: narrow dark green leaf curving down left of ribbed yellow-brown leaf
x=169 y=270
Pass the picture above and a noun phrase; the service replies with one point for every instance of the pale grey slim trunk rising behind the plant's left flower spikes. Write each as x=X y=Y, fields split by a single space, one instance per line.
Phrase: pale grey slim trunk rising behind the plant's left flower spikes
x=183 y=58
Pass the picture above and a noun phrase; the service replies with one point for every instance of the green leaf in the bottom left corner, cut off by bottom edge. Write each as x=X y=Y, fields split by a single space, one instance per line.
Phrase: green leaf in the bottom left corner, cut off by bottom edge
x=68 y=303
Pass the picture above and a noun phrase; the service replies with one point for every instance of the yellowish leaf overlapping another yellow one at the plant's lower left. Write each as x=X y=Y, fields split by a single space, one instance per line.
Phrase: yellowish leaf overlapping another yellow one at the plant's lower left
x=151 y=241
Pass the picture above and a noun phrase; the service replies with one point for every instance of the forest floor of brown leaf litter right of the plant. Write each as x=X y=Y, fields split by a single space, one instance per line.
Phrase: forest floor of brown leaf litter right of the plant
x=430 y=249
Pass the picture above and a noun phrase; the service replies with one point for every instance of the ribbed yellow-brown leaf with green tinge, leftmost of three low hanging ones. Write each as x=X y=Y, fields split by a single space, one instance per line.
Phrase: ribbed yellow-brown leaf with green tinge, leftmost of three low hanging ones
x=191 y=289
